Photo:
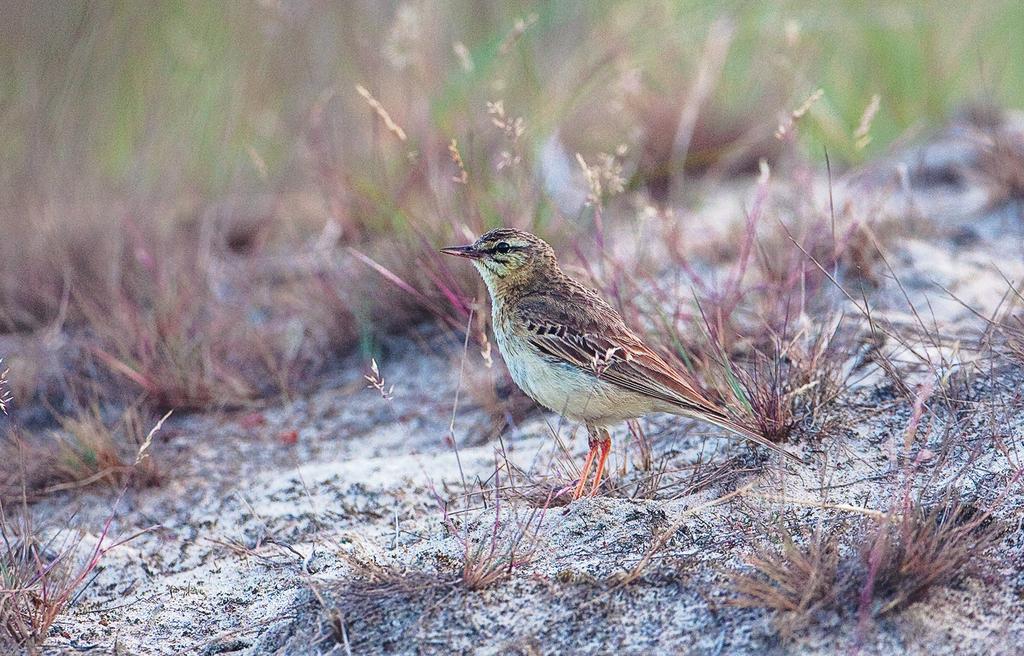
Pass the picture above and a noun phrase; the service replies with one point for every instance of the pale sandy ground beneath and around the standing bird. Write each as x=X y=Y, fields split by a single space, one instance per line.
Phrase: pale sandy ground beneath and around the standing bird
x=269 y=542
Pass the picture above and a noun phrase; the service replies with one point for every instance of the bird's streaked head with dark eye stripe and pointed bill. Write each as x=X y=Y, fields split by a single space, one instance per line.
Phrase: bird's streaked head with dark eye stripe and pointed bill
x=507 y=257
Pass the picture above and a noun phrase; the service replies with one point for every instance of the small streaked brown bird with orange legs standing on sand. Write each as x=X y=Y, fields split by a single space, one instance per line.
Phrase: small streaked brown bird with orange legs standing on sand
x=573 y=354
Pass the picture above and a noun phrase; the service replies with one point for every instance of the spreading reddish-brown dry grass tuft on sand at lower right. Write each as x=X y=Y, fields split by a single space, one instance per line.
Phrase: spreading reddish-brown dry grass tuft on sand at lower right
x=885 y=565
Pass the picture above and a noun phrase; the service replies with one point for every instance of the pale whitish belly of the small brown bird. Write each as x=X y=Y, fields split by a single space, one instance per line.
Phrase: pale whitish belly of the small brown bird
x=568 y=390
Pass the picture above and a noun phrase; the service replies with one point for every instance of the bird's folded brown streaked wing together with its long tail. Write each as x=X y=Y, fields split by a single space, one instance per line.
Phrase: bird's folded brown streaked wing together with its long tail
x=601 y=343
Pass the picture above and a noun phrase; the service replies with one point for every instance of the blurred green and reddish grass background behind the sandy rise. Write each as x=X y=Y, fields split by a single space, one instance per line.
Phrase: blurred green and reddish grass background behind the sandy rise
x=208 y=203
